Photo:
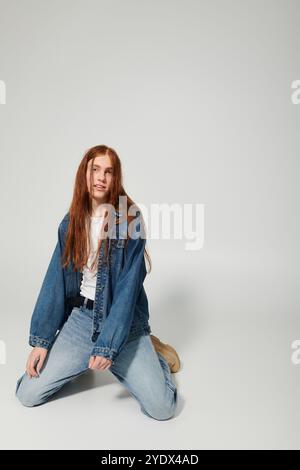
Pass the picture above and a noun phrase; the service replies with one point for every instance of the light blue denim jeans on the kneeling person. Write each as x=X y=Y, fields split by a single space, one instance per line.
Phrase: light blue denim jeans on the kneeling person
x=143 y=371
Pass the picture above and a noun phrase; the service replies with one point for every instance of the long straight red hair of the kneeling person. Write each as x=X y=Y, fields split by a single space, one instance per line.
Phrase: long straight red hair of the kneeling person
x=78 y=233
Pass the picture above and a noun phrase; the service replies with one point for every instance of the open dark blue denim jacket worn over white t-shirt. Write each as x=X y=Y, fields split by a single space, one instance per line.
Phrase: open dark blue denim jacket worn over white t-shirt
x=120 y=310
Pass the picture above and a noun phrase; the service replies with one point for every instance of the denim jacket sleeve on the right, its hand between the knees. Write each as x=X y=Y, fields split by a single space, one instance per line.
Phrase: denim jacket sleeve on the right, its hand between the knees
x=117 y=324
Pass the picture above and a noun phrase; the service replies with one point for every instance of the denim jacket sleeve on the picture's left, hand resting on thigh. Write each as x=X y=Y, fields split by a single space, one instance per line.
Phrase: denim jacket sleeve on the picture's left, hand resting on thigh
x=50 y=308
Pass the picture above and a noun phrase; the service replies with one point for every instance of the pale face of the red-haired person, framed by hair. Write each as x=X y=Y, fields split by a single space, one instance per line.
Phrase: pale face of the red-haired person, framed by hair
x=102 y=175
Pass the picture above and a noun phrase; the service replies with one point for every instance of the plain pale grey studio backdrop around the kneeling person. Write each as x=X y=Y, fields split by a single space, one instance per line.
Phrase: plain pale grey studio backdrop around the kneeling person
x=195 y=96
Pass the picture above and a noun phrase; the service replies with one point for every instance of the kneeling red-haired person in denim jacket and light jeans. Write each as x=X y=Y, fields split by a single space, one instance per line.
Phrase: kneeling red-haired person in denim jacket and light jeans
x=92 y=309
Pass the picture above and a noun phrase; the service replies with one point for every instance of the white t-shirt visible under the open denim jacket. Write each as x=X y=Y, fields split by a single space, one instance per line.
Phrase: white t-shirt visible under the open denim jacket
x=88 y=283
